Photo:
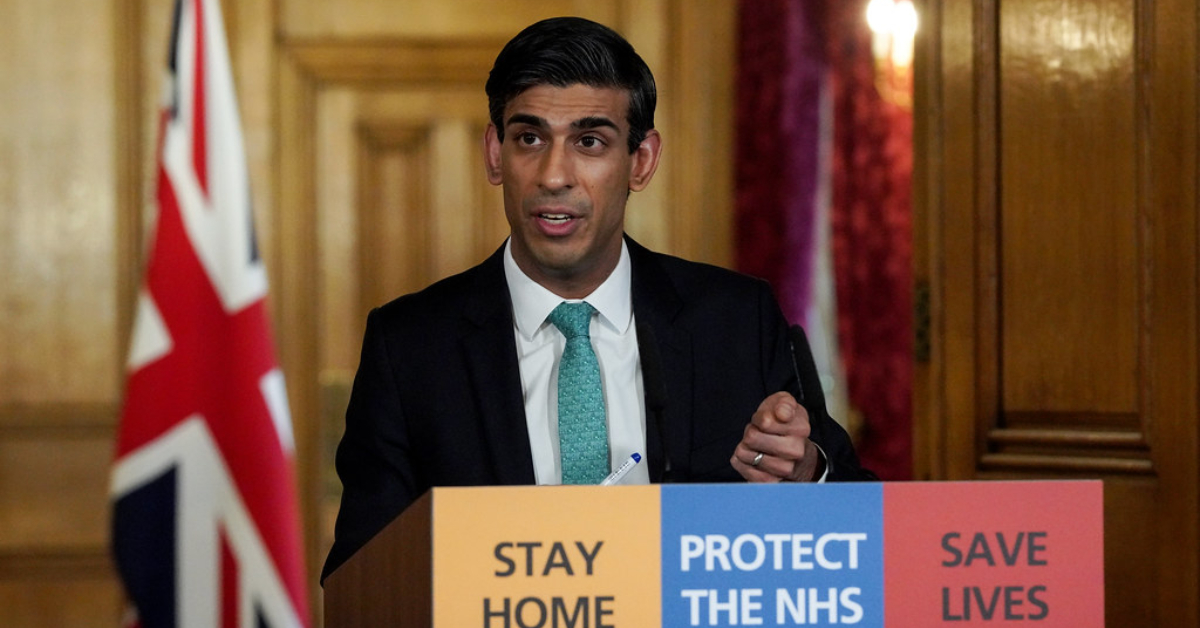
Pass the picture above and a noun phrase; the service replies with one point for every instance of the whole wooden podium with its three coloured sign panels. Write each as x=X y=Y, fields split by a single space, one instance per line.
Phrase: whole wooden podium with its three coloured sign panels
x=897 y=555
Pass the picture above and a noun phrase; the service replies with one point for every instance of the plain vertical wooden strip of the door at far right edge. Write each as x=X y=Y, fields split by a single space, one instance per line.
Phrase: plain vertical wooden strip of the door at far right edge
x=1169 y=130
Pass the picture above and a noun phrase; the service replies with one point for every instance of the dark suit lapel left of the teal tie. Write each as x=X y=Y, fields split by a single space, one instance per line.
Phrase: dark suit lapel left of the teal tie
x=490 y=354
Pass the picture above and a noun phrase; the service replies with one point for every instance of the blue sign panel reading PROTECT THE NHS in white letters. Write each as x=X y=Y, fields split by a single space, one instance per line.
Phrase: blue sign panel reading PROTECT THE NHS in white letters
x=773 y=555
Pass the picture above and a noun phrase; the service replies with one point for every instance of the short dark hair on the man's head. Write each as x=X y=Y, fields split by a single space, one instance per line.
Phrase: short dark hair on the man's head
x=563 y=52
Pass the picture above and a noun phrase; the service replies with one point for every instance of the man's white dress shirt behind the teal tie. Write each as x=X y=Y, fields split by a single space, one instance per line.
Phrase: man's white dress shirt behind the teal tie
x=615 y=340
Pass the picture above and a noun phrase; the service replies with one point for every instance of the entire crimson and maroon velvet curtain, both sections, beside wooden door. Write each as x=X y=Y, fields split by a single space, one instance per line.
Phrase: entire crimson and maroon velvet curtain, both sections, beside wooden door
x=783 y=46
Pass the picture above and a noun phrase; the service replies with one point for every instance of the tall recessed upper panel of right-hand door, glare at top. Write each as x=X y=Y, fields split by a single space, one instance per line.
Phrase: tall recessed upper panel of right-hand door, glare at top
x=1067 y=73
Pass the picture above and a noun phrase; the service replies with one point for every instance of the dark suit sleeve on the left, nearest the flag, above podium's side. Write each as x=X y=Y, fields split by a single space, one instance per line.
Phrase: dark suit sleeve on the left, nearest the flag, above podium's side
x=374 y=458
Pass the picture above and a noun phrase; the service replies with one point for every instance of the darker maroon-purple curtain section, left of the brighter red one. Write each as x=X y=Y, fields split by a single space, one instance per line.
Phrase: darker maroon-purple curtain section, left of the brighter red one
x=783 y=75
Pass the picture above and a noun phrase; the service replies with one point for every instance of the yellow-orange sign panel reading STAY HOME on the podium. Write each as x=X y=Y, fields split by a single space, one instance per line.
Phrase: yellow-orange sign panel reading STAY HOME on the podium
x=548 y=557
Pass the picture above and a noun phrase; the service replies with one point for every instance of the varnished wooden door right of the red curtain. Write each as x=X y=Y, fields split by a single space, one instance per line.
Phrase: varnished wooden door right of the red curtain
x=1058 y=236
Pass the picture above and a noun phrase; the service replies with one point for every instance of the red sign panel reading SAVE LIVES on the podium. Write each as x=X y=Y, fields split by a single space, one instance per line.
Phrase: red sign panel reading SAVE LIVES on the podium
x=994 y=554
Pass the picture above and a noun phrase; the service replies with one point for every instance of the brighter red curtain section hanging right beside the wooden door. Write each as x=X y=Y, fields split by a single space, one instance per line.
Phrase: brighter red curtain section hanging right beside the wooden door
x=873 y=246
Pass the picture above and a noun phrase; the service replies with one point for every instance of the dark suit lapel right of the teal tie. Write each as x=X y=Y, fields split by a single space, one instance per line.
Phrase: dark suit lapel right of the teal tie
x=656 y=304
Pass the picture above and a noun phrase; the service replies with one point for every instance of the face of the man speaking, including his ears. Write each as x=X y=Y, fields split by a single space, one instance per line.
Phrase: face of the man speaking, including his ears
x=567 y=174
